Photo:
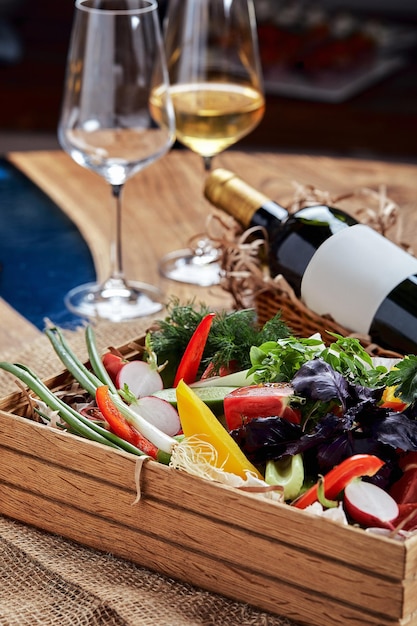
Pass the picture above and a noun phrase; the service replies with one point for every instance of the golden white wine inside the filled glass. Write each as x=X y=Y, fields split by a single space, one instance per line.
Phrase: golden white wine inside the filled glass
x=211 y=116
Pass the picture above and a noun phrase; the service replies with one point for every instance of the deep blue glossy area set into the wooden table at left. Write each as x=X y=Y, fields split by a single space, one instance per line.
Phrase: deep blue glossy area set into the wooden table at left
x=42 y=253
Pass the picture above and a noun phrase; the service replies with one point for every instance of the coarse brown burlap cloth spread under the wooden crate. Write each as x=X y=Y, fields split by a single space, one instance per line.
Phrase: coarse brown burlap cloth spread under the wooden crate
x=50 y=581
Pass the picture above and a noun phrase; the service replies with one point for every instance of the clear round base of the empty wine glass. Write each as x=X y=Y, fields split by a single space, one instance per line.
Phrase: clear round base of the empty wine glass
x=117 y=303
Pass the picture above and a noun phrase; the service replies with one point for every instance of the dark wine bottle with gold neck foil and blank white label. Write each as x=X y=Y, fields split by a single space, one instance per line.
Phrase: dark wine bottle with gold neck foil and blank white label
x=335 y=264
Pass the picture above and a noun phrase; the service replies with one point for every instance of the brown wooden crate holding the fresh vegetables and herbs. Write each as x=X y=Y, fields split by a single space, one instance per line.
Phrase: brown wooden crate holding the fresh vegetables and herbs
x=270 y=555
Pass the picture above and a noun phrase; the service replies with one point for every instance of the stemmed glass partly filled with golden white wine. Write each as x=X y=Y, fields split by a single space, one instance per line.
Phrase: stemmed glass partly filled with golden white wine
x=217 y=92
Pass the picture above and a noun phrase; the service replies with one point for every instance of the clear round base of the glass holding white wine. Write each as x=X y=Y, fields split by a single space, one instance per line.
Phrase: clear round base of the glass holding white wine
x=185 y=266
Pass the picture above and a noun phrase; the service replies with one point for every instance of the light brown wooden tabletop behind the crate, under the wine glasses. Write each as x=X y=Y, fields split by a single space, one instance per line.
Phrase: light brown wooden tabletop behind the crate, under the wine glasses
x=164 y=207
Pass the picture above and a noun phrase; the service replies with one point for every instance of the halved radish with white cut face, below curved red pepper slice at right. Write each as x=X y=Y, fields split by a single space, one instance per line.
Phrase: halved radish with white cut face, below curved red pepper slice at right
x=370 y=505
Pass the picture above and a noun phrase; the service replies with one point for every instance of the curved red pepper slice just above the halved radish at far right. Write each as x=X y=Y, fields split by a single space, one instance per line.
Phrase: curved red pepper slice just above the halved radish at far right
x=337 y=478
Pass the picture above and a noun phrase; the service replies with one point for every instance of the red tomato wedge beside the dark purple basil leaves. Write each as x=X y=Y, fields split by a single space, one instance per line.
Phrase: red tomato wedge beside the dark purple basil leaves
x=270 y=400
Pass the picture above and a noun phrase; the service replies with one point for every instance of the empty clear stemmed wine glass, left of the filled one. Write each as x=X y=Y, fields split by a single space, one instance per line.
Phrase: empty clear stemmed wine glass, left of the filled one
x=115 y=59
